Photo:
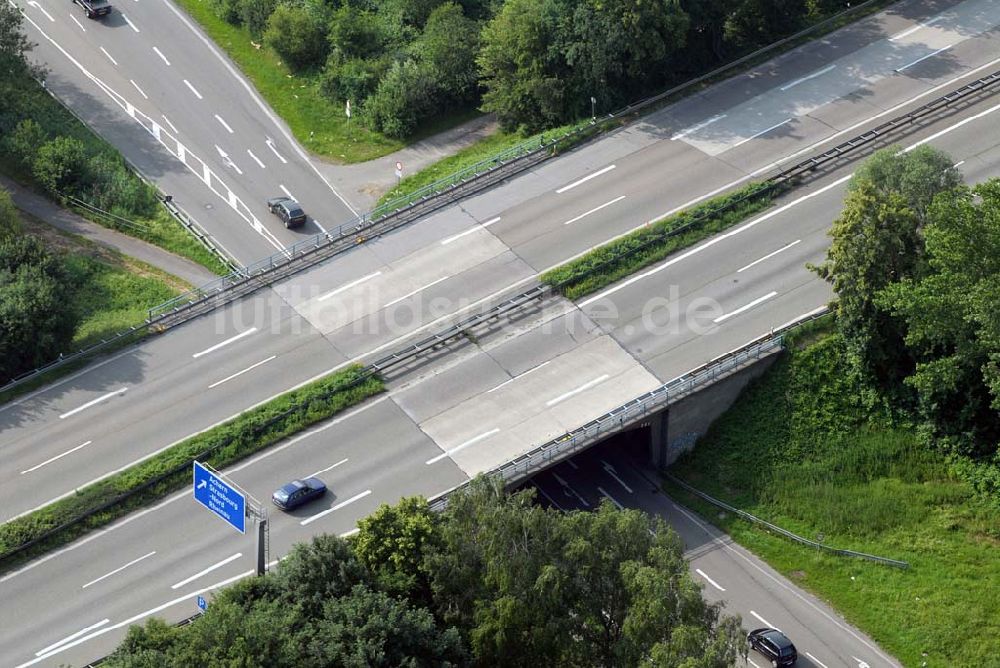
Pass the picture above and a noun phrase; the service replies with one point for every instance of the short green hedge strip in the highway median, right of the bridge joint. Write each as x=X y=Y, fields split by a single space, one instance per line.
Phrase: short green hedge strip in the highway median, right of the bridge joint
x=626 y=255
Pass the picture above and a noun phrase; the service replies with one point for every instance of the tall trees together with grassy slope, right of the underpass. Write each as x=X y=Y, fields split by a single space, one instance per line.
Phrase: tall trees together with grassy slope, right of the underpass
x=881 y=433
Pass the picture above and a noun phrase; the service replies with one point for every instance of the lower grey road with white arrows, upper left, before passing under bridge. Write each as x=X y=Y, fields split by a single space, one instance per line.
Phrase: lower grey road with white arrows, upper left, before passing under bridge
x=150 y=82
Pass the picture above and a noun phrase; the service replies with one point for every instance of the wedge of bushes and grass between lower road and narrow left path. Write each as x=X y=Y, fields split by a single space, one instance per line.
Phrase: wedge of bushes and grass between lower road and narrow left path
x=44 y=146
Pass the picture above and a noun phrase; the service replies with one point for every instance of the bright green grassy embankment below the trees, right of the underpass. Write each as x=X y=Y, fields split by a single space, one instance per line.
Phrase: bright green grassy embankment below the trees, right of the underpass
x=802 y=449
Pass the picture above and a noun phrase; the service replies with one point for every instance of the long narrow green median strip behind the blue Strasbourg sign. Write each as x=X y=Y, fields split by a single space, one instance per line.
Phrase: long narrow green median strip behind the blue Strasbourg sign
x=103 y=502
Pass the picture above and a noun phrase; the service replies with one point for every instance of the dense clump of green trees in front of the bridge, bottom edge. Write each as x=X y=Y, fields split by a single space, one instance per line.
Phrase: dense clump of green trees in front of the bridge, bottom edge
x=493 y=580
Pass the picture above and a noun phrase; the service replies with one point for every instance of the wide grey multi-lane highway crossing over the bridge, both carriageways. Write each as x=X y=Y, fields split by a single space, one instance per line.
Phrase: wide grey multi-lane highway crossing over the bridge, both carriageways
x=460 y=413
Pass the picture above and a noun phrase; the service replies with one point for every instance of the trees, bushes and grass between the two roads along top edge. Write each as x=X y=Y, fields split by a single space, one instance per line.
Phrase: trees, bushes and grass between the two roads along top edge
x=410 y=67
